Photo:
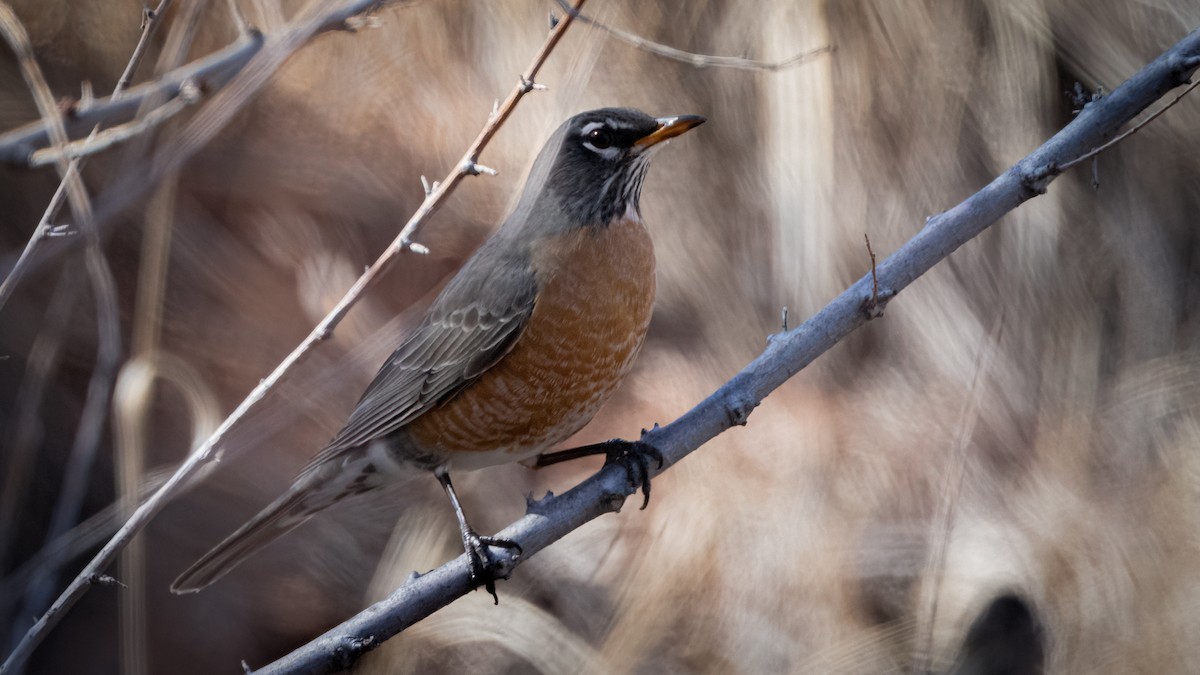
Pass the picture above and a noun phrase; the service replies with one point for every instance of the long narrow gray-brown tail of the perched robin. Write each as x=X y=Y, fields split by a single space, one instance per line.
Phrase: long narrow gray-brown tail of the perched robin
x=283 y=516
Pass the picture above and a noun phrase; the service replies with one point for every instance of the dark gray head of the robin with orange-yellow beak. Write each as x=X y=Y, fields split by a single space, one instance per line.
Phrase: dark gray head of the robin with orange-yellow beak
x=591 y=171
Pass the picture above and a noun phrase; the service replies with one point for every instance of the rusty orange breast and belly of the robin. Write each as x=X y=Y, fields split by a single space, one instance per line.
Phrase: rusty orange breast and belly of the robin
x=595 y=303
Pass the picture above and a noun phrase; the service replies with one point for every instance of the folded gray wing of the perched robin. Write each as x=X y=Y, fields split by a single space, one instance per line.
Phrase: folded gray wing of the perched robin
x=471 y=327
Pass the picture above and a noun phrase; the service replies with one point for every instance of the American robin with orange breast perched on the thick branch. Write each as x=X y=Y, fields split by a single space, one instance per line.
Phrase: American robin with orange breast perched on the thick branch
x=519 y=351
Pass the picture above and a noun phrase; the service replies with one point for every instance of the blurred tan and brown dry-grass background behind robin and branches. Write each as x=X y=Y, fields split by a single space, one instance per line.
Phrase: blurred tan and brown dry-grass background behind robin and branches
x=1005 y=467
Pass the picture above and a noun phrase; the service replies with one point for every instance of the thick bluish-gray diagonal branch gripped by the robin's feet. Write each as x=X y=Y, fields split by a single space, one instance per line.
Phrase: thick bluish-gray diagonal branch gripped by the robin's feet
x=553 y=518
